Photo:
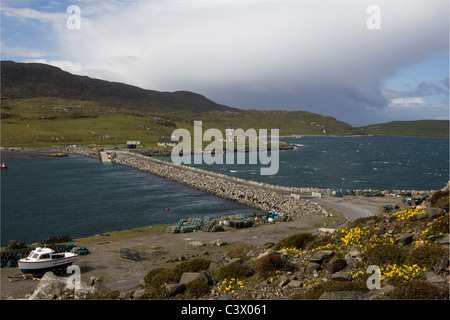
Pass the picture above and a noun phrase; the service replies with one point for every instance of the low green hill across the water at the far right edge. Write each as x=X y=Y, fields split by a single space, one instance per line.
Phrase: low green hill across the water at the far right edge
x=420 y=128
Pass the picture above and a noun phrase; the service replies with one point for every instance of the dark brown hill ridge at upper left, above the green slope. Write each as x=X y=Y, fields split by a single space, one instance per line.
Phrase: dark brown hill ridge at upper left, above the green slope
x=35 y=80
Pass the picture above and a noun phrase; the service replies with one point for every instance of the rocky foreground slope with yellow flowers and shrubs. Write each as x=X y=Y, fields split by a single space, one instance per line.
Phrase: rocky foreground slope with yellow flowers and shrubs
x=399 y=255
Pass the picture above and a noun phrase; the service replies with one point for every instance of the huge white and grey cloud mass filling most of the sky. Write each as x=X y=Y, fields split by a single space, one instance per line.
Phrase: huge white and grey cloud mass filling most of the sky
x=315 y=55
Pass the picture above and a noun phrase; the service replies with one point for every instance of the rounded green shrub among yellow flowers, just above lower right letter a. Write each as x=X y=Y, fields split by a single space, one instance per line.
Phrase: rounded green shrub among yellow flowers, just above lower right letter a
x=385 y=254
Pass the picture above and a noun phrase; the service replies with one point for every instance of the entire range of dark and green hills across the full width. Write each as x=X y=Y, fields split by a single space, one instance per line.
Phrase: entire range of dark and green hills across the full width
x=43 y=106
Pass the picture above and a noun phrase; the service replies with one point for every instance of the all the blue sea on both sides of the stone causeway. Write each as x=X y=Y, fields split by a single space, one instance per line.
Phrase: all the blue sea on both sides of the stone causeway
x=80 y=196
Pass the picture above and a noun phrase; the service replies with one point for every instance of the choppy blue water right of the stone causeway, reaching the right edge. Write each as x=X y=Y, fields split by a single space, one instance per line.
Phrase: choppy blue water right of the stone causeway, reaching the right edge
x=355 y=163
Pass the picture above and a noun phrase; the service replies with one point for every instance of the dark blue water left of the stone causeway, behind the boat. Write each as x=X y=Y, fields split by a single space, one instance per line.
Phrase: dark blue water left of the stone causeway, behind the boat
x=82 y=197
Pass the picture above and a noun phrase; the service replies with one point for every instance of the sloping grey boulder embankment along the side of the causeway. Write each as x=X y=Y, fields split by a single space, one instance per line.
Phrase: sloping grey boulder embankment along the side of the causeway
x=222 y=186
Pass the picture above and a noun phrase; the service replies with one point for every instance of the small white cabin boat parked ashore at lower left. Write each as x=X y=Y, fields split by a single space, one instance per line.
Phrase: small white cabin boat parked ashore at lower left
x=45 y=259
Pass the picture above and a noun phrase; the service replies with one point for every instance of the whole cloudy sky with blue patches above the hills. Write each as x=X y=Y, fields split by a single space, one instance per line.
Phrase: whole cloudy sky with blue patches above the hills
x=362 y=62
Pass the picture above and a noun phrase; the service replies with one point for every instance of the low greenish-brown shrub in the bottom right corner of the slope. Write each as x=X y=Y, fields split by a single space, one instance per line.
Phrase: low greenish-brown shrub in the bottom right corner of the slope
x=419 y=289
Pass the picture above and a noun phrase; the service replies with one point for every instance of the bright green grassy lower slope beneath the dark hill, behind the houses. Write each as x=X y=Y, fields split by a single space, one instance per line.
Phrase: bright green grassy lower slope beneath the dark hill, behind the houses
x=54 y=121
